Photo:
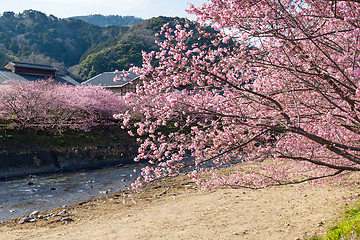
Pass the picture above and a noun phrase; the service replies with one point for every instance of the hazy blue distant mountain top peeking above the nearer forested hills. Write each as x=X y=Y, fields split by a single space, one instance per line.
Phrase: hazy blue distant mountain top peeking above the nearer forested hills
x=111 y=20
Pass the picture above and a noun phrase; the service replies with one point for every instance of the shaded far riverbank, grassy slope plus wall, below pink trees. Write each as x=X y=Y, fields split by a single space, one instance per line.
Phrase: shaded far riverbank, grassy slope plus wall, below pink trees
x=26 y=152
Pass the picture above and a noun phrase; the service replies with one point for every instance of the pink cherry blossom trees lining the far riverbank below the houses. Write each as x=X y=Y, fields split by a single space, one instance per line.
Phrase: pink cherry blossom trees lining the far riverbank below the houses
x=50 y=105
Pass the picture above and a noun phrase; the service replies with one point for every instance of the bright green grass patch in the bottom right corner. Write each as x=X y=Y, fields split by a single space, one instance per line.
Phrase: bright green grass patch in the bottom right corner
x=348 y=229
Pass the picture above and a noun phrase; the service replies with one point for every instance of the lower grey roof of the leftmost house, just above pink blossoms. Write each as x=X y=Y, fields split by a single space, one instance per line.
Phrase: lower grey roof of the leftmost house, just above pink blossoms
x=6 y=75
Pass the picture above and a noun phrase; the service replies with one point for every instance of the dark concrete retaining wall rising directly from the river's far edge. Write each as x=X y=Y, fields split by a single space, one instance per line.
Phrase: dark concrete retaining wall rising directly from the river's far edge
x=36 y=162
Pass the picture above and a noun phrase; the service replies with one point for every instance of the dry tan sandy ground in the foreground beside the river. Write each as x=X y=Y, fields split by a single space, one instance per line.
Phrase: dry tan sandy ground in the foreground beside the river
x=178 y=209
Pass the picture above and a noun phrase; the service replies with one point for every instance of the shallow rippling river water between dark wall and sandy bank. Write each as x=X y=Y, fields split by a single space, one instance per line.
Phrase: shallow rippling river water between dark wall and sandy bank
x=21 y=196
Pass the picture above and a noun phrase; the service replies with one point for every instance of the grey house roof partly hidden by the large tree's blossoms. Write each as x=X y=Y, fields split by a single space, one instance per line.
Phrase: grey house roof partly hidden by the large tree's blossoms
x=106 y=79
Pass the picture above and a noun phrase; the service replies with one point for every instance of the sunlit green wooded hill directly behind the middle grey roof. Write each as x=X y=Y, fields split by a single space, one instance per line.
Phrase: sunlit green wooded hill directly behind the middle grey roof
x=127 y=51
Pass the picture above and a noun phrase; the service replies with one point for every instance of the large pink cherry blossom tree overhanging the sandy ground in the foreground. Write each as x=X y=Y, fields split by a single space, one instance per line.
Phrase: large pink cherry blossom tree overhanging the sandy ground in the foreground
x=281 y=79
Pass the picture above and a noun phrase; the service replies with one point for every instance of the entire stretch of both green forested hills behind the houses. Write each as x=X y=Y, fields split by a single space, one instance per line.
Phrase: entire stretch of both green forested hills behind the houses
x=74 y=46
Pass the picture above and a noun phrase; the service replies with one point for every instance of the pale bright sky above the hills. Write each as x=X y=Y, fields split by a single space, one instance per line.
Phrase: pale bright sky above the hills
x=139 y=8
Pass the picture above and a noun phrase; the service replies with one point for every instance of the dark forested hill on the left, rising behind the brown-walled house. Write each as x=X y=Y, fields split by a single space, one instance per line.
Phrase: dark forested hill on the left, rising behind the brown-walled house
x=56 y=40
